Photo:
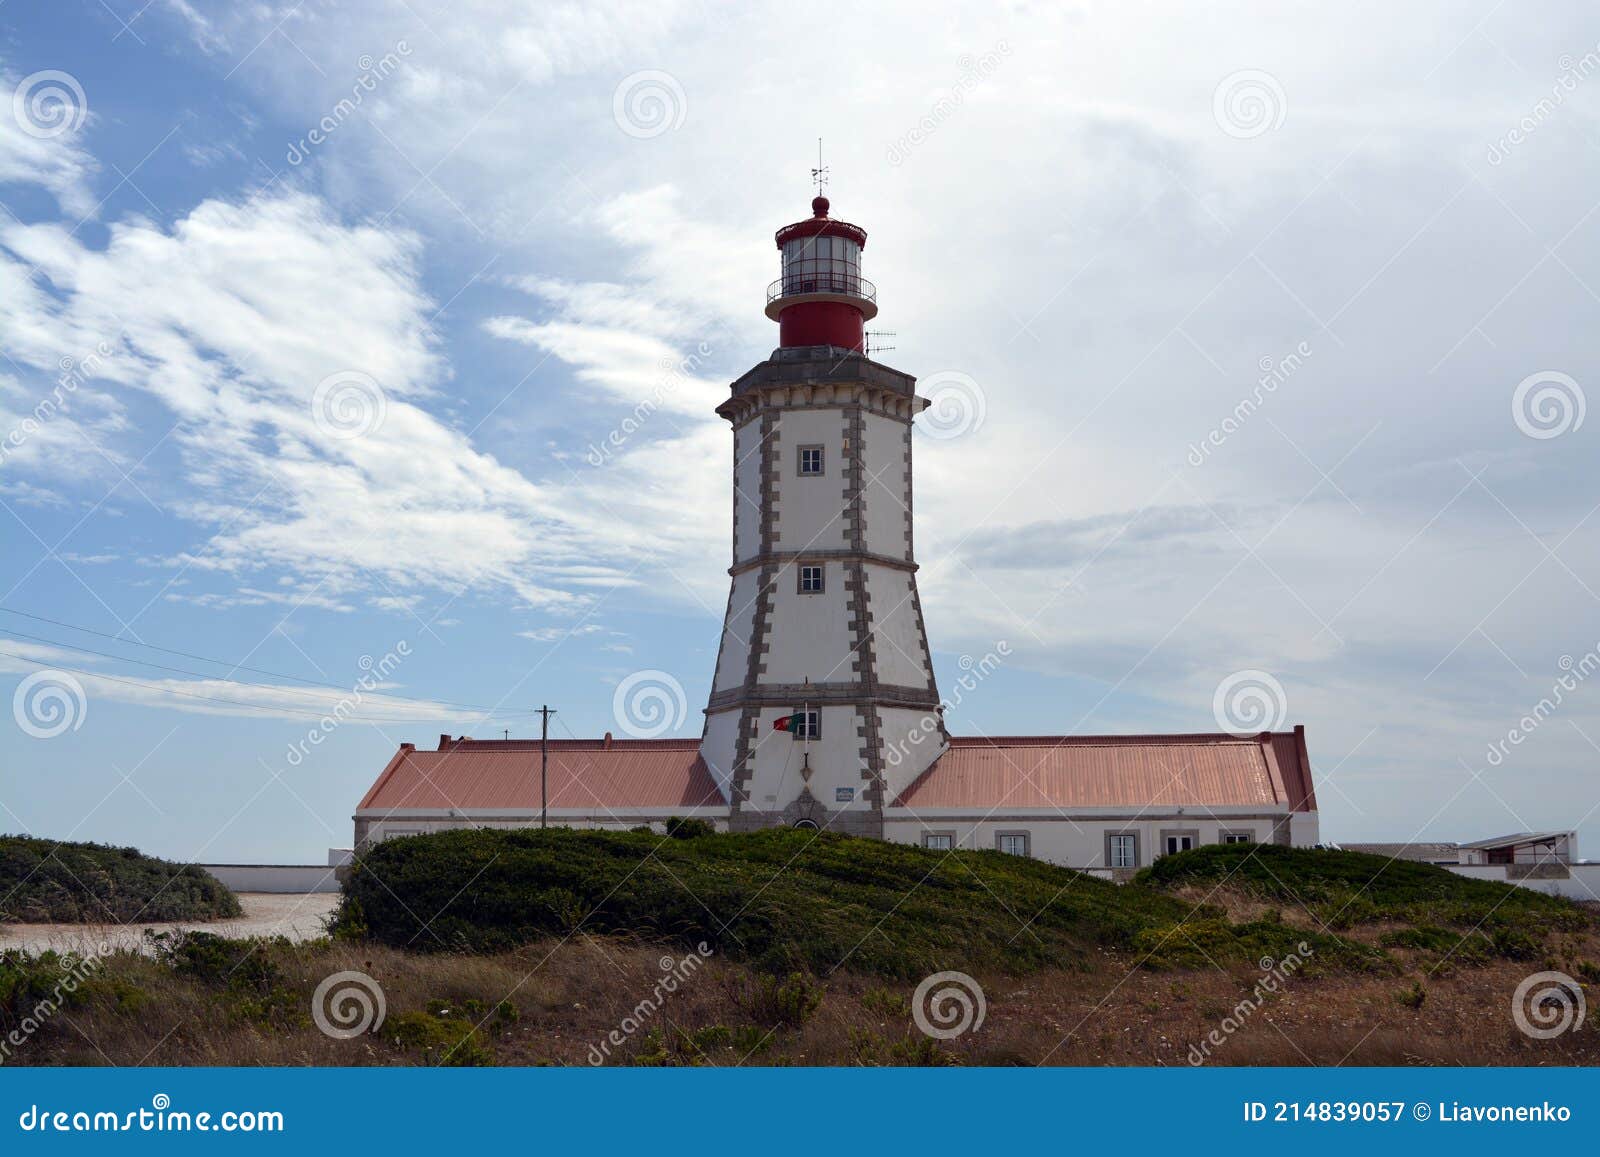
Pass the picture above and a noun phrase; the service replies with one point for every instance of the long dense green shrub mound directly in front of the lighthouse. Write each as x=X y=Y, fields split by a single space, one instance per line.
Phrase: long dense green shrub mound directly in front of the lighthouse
x=786 y=900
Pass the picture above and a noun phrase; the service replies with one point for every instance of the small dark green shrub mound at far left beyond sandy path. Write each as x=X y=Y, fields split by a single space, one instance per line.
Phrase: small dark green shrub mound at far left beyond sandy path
x=49 y=883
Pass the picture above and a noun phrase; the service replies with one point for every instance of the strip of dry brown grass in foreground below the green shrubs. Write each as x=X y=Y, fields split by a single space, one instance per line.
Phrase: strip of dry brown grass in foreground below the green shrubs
x=570 y=996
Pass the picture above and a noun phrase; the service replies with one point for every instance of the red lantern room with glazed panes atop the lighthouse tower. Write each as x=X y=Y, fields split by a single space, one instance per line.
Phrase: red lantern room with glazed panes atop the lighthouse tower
x=822 y=298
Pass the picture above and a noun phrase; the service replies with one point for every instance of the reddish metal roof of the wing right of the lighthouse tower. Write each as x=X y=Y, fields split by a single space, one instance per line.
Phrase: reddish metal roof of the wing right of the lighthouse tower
x=1118 y=771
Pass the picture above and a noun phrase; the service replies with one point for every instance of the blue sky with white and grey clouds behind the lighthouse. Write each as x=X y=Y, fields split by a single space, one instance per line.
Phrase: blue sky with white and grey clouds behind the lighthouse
x=1260 y=338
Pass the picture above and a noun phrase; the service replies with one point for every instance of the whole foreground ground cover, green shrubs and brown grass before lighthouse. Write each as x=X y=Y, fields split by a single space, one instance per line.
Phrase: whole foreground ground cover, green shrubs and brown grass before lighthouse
x=551 y=948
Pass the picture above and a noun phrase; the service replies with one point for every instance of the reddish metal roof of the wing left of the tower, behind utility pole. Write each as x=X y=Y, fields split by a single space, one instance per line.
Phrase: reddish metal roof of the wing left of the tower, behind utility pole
x=585 y=774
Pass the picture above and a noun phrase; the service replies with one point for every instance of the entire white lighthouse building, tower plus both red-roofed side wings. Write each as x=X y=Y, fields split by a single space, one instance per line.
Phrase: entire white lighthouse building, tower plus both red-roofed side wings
x=825 y=710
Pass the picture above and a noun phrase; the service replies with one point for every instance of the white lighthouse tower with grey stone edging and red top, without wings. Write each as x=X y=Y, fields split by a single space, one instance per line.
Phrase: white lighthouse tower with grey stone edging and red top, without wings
x=823 y=707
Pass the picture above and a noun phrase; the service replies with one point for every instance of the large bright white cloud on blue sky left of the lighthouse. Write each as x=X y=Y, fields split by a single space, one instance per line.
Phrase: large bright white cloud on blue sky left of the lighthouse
x=231 y=321
